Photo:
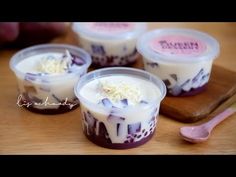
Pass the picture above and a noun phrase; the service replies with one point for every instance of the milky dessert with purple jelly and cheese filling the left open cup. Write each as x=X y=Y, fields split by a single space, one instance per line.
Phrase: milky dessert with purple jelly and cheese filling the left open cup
x=48 y=80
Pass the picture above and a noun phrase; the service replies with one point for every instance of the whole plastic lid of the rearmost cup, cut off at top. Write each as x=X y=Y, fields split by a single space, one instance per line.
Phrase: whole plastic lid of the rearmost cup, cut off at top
x=109 y=30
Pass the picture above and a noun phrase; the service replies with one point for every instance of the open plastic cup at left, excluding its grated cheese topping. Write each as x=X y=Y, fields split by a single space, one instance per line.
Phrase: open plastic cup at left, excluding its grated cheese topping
x=48 y=93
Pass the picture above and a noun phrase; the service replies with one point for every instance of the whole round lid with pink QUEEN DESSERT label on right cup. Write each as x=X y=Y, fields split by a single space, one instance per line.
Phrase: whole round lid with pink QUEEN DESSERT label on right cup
x=178 y=45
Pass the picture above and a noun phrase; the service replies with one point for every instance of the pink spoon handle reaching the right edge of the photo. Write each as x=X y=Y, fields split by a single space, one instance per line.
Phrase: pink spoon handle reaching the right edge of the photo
x=219 y=118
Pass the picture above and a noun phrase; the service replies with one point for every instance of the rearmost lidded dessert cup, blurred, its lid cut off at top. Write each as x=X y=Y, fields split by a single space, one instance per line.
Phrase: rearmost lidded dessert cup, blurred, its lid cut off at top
x=110 y=44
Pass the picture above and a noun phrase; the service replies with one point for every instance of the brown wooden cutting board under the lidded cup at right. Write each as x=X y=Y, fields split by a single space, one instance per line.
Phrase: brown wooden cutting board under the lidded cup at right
x=222 y=86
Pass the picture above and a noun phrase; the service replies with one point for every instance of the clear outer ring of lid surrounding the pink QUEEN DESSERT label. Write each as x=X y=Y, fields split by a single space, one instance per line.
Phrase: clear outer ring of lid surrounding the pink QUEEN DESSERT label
x=147 y=52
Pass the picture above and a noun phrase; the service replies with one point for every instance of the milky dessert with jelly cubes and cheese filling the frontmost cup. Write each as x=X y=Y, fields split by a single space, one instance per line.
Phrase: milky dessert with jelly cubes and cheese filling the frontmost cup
x=122 y=111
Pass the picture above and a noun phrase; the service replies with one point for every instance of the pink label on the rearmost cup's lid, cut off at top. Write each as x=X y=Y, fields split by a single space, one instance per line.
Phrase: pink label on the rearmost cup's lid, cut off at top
x=110 y=28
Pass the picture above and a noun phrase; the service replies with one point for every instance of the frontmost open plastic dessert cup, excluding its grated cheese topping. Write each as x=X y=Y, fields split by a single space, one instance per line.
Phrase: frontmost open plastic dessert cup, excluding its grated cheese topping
x=119 y=127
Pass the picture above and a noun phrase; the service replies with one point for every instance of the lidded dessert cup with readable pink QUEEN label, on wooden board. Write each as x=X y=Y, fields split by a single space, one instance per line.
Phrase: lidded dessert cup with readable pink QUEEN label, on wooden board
x=182 y=58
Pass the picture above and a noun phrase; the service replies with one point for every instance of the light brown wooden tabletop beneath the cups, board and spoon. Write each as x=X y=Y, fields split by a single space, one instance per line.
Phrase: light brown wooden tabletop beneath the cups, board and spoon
x=23 y=132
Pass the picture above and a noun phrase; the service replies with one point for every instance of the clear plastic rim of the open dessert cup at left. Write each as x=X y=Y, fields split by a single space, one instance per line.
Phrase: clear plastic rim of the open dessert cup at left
x=81 y=53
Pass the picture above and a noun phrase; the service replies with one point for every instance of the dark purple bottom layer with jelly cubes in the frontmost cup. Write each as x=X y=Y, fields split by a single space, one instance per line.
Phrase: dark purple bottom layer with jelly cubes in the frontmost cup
x=96 y=132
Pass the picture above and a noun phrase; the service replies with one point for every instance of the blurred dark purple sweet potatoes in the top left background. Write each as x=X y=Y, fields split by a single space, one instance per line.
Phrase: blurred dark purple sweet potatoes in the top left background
x=30 y=33
